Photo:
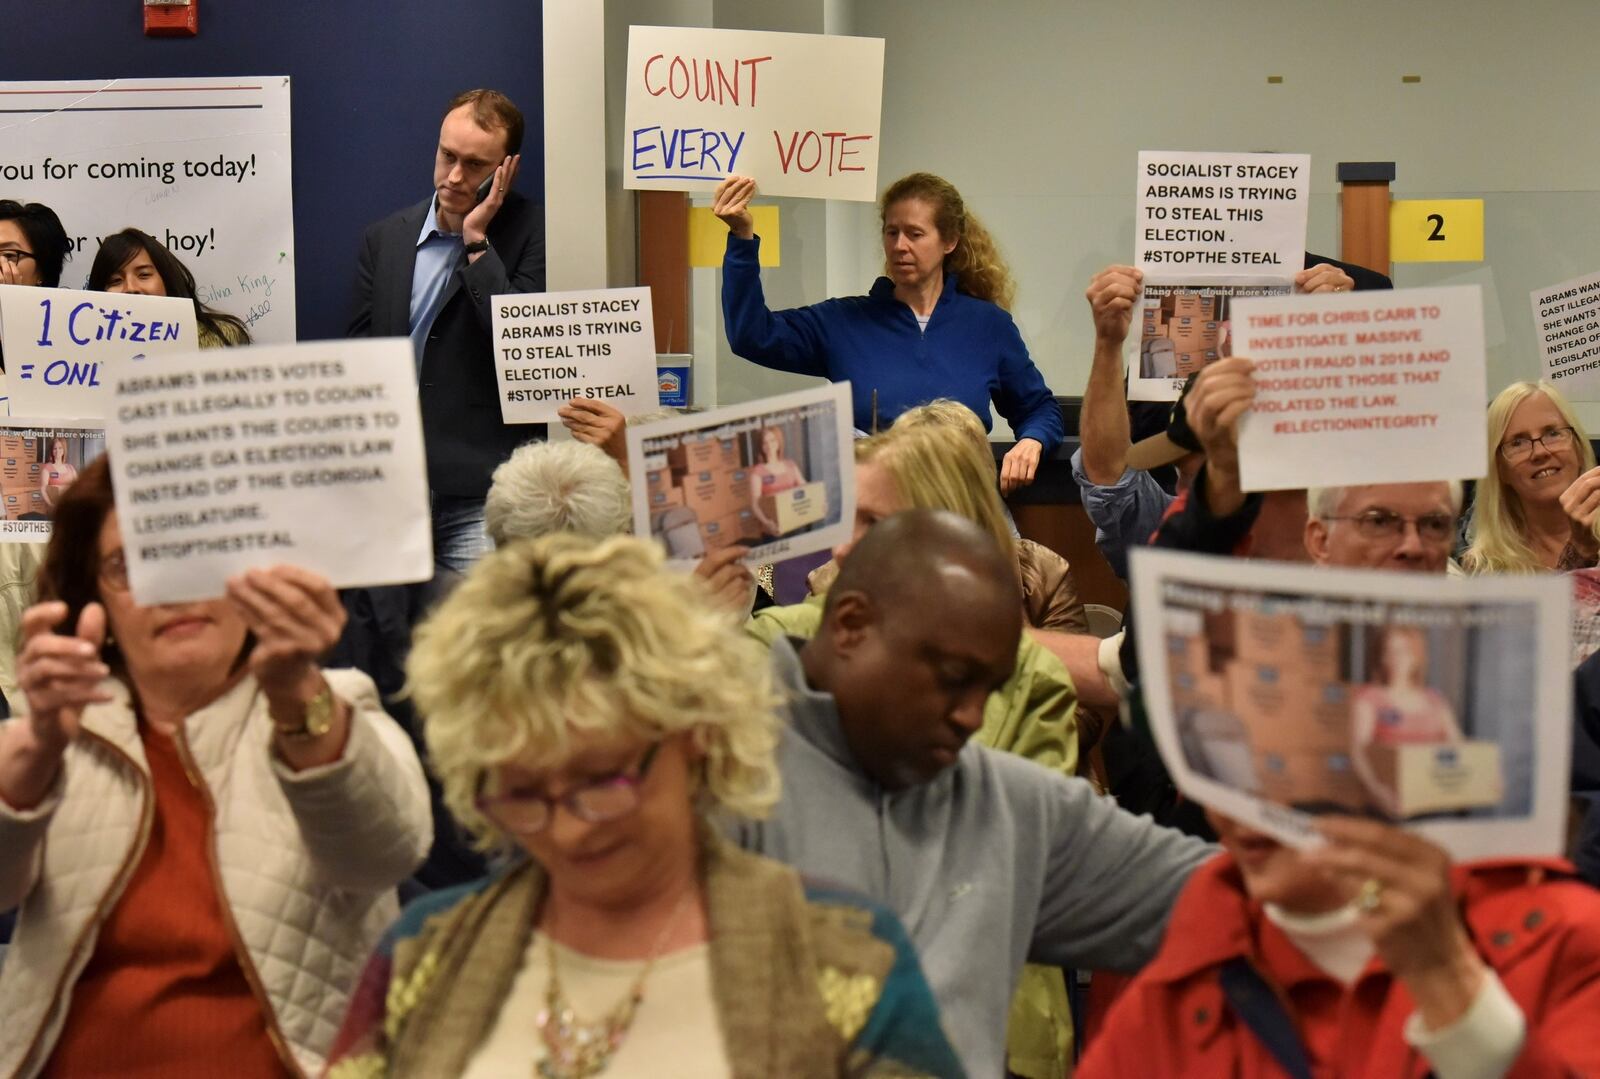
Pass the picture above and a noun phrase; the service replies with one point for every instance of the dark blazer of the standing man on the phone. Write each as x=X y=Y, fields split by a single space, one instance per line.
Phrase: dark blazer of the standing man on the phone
x=462 y=414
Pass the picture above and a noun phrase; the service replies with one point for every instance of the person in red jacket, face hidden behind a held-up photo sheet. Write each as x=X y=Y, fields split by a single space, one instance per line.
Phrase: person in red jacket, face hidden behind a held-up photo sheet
x=1372 y=957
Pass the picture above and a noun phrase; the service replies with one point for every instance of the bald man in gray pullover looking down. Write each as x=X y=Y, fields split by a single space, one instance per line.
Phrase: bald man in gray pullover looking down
x=990 y=860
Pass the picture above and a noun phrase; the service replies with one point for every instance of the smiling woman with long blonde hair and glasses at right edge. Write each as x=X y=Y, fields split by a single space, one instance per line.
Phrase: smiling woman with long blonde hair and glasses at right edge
x=1538 y=510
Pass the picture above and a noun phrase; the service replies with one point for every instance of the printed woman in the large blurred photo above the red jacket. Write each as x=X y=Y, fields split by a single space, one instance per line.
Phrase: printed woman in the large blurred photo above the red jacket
x=1402 y=710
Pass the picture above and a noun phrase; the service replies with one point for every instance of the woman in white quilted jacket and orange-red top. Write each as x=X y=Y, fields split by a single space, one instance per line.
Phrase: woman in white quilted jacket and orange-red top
x=204 y=830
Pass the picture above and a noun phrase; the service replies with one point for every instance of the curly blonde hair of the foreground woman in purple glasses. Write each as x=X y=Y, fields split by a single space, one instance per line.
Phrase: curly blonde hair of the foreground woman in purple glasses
x=564 y=635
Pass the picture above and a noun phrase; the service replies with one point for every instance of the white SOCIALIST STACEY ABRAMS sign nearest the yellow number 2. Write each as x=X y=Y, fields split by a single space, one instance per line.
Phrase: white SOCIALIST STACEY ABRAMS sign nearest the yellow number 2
x=1206 y=215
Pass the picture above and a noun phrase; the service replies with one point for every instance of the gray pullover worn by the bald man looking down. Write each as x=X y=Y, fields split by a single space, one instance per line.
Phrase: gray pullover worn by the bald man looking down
x=994 y=864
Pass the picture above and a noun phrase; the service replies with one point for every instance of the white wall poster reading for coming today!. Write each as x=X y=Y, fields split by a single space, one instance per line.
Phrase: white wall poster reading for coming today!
x=199 y=164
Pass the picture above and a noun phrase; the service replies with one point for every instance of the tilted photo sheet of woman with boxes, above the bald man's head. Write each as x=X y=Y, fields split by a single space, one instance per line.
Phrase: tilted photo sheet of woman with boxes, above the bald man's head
x=777 y=476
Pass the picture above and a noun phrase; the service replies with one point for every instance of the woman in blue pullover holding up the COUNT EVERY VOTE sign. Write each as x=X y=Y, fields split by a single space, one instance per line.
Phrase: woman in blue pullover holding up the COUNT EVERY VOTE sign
x=937 y=326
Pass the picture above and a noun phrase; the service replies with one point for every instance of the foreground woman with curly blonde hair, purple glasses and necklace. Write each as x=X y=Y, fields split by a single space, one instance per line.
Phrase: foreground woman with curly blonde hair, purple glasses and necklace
x=588 y=713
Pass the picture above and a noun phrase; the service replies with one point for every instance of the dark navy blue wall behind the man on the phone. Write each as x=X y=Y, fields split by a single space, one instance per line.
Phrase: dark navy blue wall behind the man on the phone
x=369 y=86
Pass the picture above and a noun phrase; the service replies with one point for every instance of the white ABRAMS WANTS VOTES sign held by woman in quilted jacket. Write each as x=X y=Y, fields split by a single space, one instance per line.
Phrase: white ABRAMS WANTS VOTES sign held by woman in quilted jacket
x=292 y=454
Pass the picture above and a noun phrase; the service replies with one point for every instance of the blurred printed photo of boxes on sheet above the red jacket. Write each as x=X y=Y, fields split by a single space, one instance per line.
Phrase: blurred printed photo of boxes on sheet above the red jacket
x=1402 y=713
